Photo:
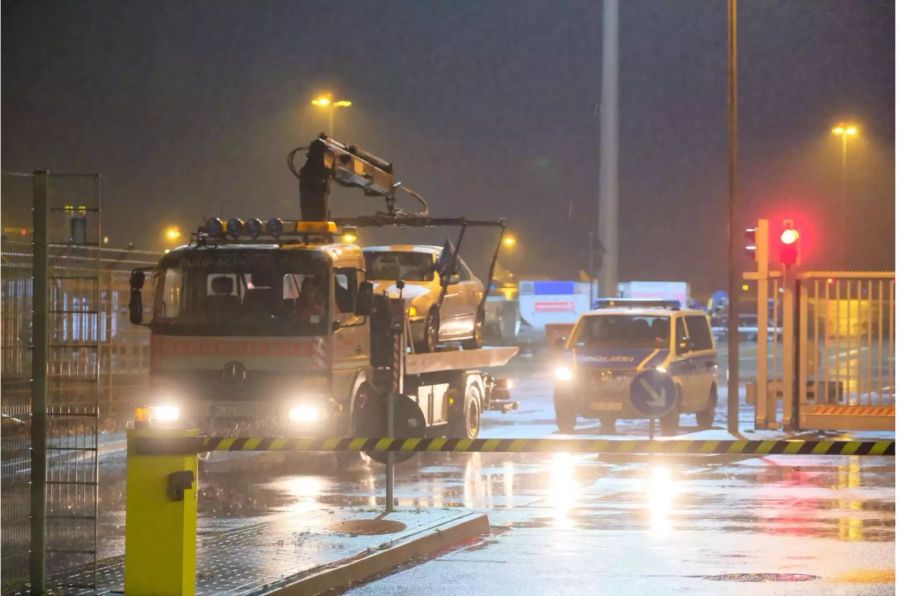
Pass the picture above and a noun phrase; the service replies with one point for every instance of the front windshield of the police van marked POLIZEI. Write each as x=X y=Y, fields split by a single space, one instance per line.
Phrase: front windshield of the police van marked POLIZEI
x=621 y=331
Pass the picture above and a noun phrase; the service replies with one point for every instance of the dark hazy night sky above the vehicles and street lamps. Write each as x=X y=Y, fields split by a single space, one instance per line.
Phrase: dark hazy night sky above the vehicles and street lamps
x=488 y=108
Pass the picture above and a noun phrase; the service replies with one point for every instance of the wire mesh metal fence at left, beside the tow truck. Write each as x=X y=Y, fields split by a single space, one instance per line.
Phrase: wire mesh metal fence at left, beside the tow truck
x=94 y=360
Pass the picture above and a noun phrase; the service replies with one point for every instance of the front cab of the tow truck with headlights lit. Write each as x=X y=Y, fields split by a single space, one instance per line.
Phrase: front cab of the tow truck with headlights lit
x=246 y=334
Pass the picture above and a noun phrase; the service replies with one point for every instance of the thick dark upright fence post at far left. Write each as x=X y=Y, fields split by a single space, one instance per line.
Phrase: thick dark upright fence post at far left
x=39 y=346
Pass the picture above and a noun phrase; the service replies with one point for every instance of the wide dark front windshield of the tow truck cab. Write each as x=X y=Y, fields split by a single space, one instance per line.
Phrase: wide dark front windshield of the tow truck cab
x=243 y=293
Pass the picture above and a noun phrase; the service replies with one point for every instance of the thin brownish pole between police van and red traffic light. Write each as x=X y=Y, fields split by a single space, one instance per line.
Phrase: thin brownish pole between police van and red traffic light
x=733 y=237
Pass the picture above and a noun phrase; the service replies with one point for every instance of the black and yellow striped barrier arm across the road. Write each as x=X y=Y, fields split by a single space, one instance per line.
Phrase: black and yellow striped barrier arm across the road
x=162 y=446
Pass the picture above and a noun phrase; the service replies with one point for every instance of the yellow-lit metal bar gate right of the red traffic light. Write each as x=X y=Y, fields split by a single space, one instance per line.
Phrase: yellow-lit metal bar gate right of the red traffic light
x=845 y=364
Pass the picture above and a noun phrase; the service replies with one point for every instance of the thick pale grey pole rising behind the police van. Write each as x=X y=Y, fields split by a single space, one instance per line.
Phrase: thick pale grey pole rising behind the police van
x=609 y=149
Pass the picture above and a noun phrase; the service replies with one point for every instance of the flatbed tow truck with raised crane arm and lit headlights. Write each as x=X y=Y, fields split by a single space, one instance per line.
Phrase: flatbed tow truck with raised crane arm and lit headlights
x=267 y=327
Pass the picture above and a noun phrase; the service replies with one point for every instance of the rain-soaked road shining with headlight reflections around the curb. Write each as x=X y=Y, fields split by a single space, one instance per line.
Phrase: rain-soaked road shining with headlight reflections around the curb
x=650 y=517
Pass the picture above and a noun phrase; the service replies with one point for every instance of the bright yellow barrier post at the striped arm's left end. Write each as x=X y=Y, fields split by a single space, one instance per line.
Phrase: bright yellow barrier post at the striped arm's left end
x=160 y=527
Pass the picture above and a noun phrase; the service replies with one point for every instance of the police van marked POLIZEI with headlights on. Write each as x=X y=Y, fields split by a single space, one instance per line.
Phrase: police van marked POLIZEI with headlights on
x=608 y=346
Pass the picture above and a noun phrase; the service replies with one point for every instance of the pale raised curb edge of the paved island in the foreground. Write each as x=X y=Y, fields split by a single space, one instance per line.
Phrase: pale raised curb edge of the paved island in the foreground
x=366 y=565
